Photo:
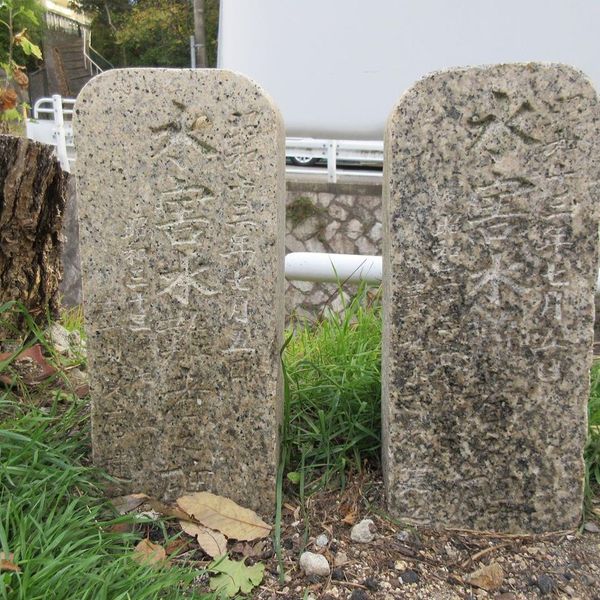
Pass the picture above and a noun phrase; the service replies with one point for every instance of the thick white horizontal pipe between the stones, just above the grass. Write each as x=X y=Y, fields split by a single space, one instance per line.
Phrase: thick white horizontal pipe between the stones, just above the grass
x=332 y=268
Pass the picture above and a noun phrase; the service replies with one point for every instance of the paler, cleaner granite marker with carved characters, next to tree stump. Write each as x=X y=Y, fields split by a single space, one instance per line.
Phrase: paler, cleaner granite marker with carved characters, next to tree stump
x=180 y=176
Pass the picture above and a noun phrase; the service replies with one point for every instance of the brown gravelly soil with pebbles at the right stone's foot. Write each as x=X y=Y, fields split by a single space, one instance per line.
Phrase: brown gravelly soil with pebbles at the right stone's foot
x=403 y=562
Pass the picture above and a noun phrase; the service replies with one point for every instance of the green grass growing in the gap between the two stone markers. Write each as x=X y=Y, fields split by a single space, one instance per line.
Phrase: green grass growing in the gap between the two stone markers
x=333 y=394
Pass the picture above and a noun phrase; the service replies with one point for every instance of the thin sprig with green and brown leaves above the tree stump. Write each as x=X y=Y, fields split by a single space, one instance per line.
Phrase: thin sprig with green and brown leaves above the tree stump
x=11 y=13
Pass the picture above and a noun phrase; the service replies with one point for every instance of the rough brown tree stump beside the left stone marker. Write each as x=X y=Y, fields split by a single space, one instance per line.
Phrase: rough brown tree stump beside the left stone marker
x=32 y=203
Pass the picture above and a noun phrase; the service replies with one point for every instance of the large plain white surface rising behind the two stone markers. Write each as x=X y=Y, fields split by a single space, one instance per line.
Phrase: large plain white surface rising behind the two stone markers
x=336 y=67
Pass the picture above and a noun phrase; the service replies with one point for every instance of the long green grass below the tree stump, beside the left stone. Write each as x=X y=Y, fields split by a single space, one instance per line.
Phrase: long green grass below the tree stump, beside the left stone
x=53 y=516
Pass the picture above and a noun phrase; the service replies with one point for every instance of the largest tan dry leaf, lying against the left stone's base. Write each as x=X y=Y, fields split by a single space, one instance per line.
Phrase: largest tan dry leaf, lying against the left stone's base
x=225 y=516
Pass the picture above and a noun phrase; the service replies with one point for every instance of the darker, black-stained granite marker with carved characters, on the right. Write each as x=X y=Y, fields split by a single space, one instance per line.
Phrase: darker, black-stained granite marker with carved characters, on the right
x=490 y=267
